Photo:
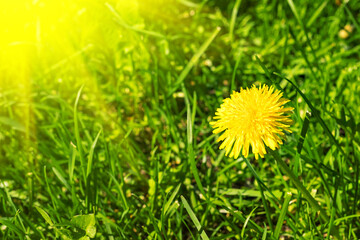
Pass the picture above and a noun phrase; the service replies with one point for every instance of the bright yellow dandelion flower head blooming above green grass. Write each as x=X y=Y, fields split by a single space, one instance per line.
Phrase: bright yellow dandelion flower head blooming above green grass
x=252 y=117
